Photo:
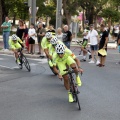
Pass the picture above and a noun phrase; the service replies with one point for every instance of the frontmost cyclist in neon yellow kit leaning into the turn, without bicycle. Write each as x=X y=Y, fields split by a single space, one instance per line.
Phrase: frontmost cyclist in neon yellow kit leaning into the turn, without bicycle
x=64 y=58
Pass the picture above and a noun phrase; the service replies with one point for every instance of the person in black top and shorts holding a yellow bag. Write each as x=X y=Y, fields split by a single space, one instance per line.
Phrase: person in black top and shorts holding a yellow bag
x=103 y=44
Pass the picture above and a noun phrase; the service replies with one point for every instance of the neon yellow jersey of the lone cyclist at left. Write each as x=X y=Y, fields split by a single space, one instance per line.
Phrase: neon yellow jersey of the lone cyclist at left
x=15 y=45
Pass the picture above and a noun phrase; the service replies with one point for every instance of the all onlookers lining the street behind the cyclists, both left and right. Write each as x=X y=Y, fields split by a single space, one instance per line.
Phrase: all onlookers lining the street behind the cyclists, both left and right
x=35 y=33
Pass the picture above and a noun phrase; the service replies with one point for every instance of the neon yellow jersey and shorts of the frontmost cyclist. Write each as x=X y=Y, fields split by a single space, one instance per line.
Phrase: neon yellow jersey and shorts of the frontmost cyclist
x=67 y=59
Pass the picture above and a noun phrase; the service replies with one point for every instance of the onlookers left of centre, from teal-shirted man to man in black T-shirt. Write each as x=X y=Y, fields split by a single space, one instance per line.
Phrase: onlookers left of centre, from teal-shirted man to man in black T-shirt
x=39 y=30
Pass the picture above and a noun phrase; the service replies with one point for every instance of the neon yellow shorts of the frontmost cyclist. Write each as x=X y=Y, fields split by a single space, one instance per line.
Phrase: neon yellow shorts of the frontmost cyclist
x=63 y=65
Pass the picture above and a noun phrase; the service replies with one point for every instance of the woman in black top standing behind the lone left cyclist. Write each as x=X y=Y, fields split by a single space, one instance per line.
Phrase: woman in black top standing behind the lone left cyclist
x=21 y=30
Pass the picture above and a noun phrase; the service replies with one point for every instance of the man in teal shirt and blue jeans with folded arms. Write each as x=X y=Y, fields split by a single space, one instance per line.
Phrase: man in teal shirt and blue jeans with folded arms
x=6 y=32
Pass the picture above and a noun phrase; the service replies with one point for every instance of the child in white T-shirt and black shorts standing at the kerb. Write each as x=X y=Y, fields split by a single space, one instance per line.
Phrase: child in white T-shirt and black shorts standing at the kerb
x=32 y=36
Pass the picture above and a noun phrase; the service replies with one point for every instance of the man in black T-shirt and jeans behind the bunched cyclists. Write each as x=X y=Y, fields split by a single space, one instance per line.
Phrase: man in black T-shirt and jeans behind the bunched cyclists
x=67 y=36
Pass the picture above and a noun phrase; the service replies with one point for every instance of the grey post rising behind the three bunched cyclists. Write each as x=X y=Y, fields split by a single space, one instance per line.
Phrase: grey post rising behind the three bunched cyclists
x=58 y=14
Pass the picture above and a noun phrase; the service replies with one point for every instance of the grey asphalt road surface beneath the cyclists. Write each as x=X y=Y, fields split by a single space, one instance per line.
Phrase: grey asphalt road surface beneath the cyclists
x=39 y=95
